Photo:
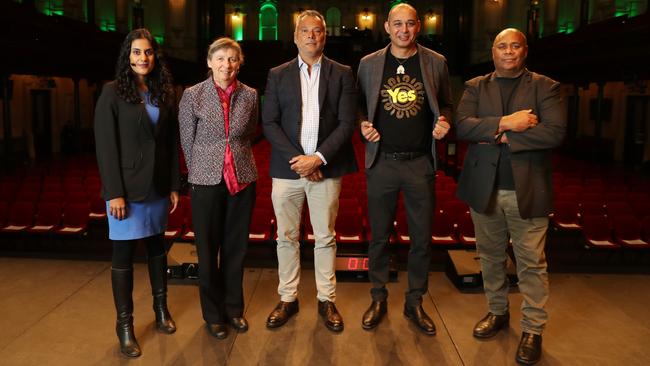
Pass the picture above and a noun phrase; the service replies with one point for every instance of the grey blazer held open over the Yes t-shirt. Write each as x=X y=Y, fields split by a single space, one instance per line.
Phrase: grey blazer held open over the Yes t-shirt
x=435 y=77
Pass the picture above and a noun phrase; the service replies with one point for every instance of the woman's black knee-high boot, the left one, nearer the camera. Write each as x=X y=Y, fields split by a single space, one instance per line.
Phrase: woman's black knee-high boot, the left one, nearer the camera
x=122 y=280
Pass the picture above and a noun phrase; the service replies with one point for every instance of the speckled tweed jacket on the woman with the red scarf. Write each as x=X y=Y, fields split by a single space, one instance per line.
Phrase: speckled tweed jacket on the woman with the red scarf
x=203 y=137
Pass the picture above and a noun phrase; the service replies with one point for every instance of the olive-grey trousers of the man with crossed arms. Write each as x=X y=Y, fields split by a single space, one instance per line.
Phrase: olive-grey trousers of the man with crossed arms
x=493 y=229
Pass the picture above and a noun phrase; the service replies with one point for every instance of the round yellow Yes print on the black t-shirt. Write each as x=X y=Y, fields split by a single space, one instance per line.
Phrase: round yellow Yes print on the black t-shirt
x=402 y=96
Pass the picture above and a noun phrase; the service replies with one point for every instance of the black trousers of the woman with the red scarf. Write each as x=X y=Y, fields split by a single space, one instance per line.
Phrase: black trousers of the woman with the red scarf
x=221 y=224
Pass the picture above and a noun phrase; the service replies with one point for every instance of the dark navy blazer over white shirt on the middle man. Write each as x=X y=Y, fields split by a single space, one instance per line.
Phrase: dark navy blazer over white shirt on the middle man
x=282 y=117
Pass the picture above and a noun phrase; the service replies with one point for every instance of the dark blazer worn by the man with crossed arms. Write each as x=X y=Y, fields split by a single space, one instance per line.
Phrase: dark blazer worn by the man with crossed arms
x=477 y=121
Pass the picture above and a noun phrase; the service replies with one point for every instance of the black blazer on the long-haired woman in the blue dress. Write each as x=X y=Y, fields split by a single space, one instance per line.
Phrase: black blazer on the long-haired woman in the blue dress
x=132 y=154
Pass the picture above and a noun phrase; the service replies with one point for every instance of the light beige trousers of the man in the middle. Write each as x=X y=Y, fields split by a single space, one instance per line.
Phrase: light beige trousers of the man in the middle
x=288 y=196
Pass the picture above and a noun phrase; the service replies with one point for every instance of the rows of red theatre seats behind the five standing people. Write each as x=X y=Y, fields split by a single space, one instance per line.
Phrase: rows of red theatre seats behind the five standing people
x=607 y=208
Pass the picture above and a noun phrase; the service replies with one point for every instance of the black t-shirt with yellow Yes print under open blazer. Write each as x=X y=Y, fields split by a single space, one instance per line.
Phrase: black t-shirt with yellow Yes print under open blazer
x=404 y=118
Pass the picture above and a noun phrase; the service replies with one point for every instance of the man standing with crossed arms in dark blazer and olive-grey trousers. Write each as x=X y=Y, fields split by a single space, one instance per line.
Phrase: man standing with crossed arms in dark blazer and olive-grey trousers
x=512 y=118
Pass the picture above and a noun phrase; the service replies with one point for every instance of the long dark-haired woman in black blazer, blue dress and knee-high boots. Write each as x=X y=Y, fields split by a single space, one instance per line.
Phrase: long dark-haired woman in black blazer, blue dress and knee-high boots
x=136 y=143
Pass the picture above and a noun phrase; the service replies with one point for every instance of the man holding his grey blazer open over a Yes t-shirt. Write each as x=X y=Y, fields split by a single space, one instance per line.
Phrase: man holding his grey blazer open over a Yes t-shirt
x=406 y=101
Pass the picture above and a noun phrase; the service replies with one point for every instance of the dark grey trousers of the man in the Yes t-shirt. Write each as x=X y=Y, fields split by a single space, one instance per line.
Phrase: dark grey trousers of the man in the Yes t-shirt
x=416 y=180
